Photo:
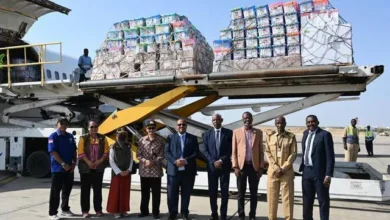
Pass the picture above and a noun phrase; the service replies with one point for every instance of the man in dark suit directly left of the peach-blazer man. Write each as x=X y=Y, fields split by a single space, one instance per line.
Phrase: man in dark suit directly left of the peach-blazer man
x=218 y=151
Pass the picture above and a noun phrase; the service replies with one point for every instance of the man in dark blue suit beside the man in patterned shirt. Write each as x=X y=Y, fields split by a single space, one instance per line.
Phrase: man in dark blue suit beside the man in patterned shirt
x=181 y=151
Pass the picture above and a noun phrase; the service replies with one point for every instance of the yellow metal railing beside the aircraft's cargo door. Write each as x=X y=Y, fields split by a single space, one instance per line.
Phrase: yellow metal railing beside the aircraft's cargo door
x=42 y=49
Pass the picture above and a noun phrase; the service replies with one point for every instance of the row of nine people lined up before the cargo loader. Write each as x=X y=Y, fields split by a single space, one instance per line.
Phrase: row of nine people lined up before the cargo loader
x=240 y=150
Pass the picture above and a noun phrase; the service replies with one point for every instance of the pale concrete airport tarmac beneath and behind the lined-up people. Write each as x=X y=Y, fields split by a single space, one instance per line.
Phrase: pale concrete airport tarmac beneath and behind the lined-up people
x=27 y=198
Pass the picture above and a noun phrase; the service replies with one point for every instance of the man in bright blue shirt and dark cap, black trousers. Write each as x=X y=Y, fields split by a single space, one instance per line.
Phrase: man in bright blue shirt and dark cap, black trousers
x=62 y=149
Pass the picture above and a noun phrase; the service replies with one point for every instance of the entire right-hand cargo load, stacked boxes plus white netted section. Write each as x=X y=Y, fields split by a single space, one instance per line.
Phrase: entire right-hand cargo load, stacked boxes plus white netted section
x=283 y=34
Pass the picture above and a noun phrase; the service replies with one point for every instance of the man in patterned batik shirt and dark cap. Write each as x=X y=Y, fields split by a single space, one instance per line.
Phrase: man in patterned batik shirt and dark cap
x=150 y=154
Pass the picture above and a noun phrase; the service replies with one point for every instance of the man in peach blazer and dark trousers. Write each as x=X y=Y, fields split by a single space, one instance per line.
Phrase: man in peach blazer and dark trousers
x=248 y=163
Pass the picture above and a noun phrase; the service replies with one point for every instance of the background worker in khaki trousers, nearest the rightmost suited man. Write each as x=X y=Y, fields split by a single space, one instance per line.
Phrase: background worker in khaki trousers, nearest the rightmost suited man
x=351 y=142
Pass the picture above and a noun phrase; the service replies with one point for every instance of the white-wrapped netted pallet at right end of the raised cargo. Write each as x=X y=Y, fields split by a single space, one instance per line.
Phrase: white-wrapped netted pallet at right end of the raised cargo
x=326 y=37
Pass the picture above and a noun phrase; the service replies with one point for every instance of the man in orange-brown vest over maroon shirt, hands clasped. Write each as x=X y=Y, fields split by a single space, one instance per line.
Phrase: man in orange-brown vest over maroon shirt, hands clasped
x=93 y=152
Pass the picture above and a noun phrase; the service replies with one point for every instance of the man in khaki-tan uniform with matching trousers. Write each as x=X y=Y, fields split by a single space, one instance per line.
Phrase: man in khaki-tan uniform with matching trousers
x=281 y=150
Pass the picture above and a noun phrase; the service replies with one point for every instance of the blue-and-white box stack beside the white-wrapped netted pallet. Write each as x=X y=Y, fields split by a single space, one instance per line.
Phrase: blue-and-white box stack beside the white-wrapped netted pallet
x=259 y=37
